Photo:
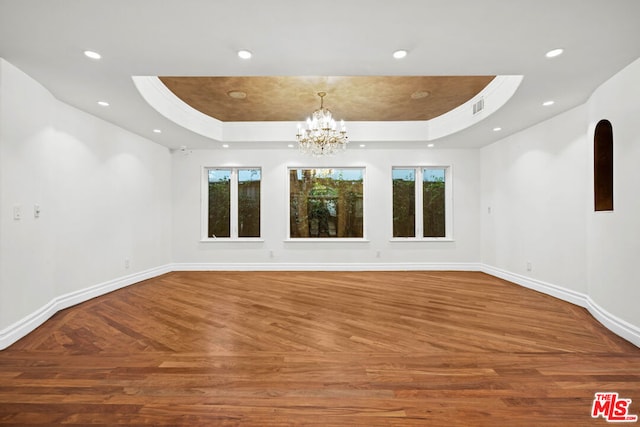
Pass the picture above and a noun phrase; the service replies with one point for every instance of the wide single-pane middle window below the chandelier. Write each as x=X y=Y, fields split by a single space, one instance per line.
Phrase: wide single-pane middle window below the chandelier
x=326 y=203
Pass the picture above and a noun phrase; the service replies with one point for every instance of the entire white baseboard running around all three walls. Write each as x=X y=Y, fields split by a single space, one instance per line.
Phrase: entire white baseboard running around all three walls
x=19 y=329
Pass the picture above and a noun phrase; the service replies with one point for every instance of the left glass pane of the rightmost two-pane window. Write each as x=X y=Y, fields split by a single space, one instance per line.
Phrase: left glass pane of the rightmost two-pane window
x=404 y=202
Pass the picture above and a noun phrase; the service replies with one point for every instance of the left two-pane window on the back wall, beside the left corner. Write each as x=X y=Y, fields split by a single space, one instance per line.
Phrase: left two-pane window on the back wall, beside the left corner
x=232 y=202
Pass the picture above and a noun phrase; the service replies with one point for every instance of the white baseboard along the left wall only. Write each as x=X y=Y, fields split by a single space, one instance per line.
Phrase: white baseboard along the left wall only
x=19 y=329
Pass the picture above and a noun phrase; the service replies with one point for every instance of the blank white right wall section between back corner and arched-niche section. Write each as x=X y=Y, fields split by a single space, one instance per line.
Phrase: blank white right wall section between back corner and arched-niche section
x=534 y=191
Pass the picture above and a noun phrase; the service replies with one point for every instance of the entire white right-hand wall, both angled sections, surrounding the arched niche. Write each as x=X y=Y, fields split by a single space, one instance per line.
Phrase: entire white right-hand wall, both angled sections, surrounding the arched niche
x=539 y=186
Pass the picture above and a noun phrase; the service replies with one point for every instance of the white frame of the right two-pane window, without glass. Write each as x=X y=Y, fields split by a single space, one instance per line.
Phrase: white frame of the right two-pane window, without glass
x=419 y=205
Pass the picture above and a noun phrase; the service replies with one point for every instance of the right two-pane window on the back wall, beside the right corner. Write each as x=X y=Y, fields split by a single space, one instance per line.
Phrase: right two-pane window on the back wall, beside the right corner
x=421 y=202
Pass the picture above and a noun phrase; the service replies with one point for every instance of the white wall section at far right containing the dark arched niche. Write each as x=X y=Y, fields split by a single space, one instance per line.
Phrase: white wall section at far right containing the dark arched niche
x=613 y=238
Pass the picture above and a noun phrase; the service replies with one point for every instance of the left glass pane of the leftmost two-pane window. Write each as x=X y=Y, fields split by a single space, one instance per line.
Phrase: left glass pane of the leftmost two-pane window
x=219 y=202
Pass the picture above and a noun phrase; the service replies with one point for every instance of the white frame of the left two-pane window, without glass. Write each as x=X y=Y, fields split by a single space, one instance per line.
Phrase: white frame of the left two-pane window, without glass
x=233 y=209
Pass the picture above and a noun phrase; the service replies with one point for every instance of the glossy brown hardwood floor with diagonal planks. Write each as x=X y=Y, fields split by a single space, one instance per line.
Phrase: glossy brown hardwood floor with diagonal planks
x=317 y=348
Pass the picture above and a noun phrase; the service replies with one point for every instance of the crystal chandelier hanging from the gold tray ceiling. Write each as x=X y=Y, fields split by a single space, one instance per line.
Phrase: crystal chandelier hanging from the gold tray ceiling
x=321 y=136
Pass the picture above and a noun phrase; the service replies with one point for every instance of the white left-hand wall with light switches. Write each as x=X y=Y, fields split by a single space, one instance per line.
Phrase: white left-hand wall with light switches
x=104 y=193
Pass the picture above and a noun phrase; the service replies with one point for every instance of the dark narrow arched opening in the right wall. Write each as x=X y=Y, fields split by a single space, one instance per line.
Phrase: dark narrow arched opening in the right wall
x=603 y=166
